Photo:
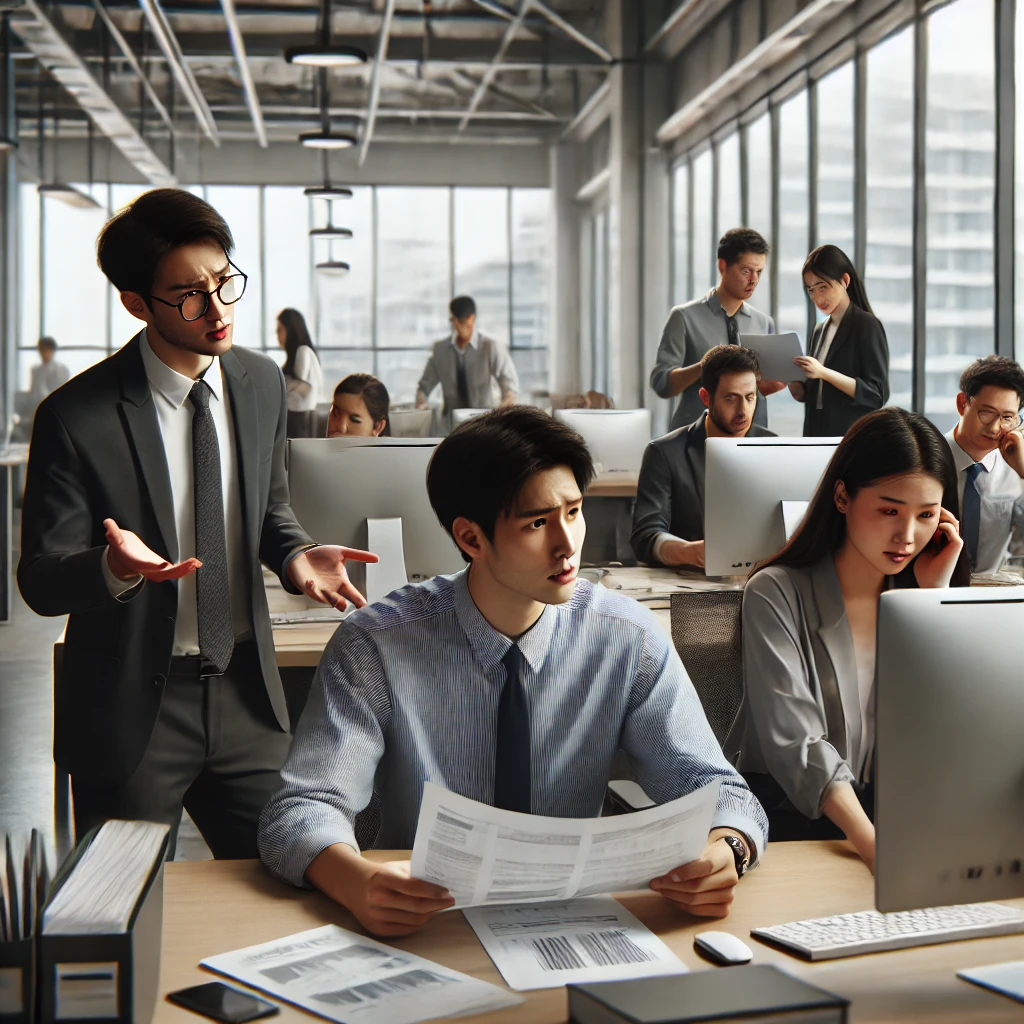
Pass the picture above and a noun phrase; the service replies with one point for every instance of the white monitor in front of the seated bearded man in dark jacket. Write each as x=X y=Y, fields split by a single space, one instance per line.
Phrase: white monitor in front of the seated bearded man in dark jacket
x=747 y=482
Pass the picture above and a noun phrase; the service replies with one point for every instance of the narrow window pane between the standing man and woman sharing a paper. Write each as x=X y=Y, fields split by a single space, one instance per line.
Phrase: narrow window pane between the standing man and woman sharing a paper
x=786 y=416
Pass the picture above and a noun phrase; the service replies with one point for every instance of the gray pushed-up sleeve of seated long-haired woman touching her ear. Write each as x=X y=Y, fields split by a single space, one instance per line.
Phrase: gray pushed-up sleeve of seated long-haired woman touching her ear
x=790 y=724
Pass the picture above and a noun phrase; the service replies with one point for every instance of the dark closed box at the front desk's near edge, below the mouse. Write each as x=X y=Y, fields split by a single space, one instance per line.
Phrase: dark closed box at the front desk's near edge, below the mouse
x=752 y=995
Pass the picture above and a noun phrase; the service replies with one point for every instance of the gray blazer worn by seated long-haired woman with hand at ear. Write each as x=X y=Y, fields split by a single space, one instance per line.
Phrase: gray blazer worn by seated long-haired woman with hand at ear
x=800 y=720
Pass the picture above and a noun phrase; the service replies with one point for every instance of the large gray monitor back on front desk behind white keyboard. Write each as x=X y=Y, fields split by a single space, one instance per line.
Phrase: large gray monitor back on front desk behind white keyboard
x=950 y=747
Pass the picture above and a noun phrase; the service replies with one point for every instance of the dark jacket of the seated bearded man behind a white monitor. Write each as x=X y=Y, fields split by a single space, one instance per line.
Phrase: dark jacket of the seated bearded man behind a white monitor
x=670 y=492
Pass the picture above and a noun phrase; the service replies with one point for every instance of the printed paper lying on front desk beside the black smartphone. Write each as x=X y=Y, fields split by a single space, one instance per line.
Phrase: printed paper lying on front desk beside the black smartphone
x=350 y=978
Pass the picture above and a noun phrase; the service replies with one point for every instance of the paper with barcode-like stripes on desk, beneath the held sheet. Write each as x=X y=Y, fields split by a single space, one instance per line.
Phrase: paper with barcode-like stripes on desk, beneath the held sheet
x=544 y=946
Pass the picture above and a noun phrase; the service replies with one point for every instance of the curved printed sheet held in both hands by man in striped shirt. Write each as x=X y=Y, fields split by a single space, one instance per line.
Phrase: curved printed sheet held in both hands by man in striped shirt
x=485 y=856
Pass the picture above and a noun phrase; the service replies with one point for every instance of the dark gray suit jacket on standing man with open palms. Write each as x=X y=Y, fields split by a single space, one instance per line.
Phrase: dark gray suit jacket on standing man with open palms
x=98 y=453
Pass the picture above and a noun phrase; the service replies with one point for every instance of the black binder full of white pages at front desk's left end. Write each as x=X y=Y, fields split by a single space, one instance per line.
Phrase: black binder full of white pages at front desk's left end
x=104 y=979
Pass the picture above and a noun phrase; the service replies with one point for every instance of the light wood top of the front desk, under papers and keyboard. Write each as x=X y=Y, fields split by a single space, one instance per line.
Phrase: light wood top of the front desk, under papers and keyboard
x=216 y=907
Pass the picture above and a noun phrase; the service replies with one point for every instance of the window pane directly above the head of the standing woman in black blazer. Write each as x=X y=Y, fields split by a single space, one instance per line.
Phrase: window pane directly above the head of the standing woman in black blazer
x=836 y=159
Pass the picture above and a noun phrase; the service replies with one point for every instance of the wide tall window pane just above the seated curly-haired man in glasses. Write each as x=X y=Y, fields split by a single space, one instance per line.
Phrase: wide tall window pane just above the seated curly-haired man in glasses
x=960 y=179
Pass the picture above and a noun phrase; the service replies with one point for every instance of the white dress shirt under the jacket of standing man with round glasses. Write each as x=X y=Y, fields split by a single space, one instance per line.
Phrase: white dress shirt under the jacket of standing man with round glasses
x=175 y=414
